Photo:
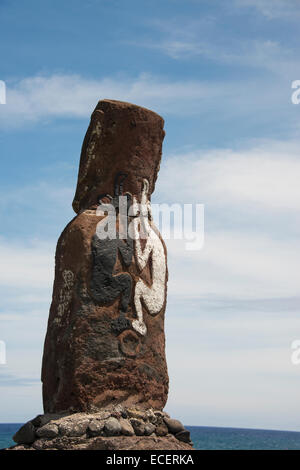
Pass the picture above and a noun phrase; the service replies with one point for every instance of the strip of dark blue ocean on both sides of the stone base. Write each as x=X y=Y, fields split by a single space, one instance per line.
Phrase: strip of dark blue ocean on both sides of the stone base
x=211 y=438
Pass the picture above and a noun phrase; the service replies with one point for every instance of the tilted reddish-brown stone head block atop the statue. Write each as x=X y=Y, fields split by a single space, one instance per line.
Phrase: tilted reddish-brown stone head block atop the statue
x=121 y=137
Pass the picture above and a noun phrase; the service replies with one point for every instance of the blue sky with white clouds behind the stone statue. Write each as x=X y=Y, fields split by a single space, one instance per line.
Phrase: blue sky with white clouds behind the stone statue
x=220 y=73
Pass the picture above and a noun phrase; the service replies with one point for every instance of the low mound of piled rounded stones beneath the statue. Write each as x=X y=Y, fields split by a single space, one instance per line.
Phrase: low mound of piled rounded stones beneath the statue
x=116 y=429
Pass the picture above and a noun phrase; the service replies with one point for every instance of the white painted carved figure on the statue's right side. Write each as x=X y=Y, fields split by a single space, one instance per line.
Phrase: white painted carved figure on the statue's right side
x=153 y=296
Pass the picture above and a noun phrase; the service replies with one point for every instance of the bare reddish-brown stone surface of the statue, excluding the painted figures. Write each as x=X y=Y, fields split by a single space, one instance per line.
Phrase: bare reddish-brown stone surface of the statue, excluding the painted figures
x=89 y=362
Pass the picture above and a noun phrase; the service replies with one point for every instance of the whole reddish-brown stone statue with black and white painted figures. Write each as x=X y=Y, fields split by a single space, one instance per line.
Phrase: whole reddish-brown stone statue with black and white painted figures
x=105 y=342
